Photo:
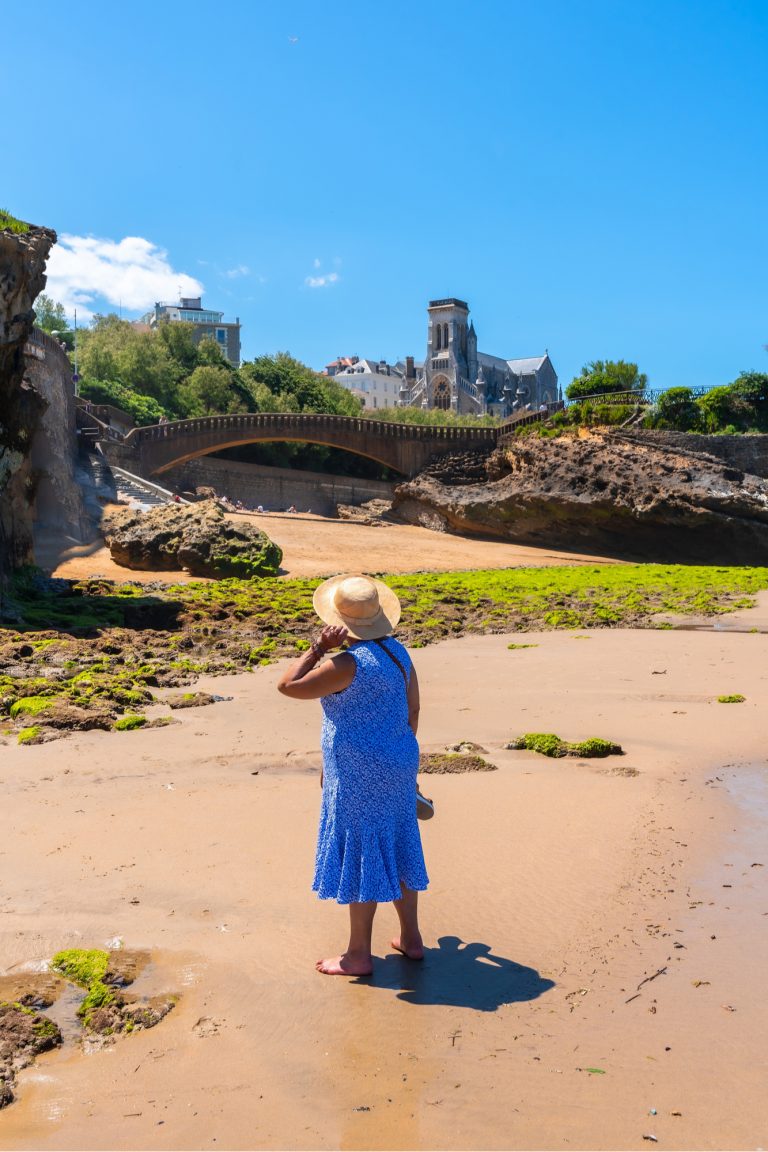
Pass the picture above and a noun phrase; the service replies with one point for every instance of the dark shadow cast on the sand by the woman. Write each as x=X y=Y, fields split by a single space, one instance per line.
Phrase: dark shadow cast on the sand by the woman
x=461 y=975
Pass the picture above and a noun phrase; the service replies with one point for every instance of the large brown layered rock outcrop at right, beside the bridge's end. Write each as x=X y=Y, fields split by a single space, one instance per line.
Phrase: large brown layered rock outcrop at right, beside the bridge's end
x=603 y=494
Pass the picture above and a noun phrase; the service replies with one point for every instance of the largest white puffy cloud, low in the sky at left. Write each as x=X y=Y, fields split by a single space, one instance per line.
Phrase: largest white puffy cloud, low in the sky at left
x=87 y=274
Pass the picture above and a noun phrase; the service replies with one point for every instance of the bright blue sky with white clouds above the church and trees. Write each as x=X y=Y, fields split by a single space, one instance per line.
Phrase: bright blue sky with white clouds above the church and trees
x=590 y=177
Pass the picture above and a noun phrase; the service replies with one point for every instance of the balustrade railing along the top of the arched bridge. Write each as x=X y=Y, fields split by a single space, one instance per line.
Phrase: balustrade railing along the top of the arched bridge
x=308 y=422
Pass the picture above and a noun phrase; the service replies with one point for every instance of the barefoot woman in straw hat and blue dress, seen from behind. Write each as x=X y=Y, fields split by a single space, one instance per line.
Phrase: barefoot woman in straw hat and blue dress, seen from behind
x=369 y=843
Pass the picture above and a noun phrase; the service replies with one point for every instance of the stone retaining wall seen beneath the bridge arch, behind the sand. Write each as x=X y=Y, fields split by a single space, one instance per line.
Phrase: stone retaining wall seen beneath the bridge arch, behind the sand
x=275 y=488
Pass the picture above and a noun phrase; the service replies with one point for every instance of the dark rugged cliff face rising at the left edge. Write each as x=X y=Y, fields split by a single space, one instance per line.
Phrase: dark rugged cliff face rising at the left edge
x=22 y=278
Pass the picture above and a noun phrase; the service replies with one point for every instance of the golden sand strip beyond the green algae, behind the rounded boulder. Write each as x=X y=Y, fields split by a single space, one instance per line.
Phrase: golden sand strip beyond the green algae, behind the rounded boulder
x=320 y=547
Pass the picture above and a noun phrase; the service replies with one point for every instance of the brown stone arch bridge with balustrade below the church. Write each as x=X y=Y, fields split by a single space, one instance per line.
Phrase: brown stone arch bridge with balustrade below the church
x=407 y=449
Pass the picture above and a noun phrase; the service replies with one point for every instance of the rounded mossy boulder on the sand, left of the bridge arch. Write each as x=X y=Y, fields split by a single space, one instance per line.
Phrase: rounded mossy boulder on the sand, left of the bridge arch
x=196 y=537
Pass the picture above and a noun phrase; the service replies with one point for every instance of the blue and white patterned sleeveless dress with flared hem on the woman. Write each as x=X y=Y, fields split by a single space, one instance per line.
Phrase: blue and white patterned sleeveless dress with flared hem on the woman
x=369 y=842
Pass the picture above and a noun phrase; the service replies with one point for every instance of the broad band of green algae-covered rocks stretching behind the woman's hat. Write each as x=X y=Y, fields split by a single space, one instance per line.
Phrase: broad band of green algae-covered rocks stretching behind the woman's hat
x=179 y=633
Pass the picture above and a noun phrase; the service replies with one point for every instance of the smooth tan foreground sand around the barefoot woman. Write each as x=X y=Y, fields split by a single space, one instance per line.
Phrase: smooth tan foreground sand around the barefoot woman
x=596 y=930
